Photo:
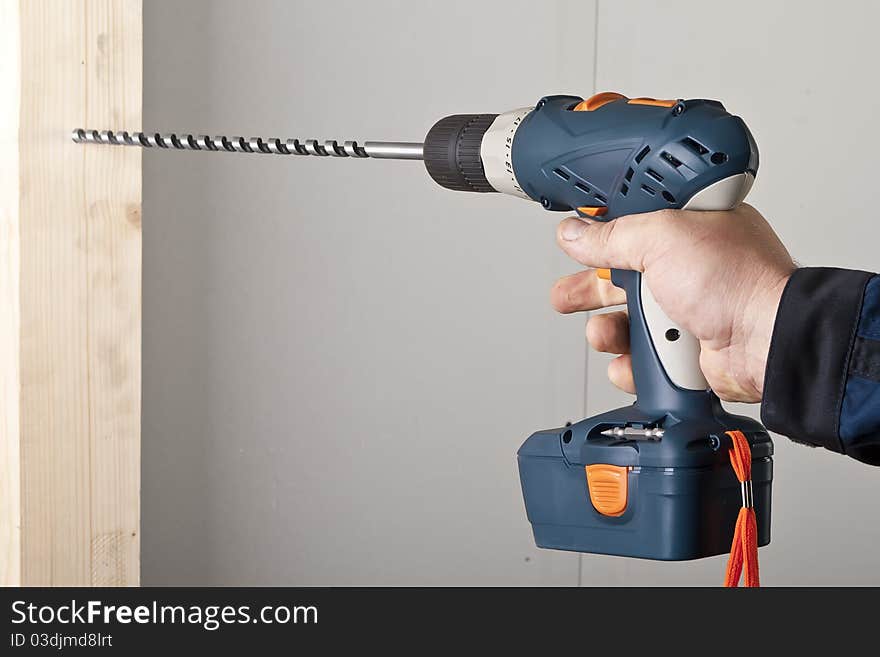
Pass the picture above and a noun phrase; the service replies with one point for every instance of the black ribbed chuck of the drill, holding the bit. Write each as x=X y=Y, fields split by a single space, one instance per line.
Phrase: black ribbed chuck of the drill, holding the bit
x=452 y=152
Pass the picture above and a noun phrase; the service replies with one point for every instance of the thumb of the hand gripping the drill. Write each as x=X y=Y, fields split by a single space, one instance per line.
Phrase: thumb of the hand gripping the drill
x=622 y=243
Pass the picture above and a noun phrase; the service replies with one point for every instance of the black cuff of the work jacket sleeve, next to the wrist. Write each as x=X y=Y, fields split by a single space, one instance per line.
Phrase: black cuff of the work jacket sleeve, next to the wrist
x=813 y=338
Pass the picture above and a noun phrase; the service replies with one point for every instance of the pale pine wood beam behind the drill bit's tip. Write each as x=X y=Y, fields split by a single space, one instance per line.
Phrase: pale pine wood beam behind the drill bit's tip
x=71 y=449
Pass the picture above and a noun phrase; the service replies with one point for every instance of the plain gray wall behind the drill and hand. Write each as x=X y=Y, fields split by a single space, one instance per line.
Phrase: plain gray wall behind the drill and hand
x=341 y=359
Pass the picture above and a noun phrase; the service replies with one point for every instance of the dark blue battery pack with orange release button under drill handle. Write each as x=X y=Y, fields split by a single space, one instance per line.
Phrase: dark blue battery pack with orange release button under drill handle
x=671 y=498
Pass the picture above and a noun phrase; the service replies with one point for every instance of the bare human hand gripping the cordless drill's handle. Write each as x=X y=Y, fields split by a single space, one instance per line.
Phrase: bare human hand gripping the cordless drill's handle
x=719 y=275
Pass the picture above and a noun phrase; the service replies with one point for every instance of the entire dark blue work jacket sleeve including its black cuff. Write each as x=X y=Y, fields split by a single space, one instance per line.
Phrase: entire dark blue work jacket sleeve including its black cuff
x=822 y=382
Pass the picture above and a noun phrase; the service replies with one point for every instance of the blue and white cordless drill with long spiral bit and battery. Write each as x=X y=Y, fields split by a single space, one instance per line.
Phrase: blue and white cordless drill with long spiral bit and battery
x=648 y=480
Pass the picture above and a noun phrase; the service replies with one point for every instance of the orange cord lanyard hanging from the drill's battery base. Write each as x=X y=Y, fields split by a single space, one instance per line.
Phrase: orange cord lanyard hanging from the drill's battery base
x=744 y=551
